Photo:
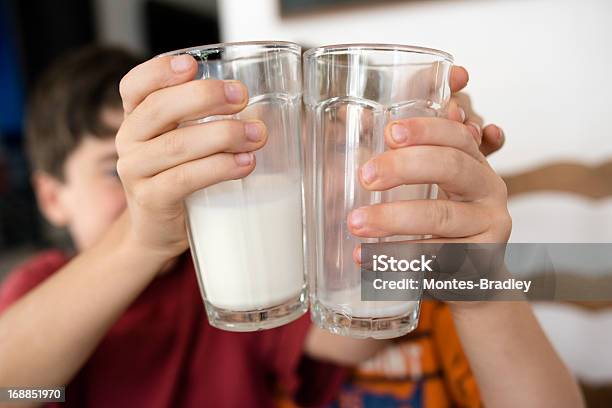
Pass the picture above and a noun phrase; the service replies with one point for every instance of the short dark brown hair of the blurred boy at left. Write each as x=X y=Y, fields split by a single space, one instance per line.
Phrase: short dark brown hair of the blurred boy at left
x=67 y=102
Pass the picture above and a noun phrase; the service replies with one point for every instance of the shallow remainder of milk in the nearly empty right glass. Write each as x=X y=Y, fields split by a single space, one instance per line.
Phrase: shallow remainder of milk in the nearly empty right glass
x=348 y=301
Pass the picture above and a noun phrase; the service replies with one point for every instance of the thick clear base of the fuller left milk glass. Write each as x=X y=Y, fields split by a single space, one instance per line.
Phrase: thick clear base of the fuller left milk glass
x=260 y=319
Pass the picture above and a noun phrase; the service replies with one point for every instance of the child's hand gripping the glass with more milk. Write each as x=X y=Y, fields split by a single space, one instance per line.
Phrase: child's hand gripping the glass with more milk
x=160 y=163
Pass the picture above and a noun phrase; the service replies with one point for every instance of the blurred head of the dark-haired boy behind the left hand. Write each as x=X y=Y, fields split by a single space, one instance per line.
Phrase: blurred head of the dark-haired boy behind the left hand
x=75 y=110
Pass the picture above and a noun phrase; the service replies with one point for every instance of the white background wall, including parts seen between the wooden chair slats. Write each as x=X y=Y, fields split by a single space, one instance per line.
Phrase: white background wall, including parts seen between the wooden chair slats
x=540 y=68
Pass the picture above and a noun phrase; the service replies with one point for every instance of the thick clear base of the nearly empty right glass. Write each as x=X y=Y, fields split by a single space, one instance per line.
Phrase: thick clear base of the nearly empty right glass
x=360 y=327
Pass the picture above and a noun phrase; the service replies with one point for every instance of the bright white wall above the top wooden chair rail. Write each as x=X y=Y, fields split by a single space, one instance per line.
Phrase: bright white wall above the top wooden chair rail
x=540 y=68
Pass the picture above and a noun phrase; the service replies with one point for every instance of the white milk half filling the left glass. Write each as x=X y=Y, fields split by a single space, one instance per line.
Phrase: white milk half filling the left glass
x=247 y=238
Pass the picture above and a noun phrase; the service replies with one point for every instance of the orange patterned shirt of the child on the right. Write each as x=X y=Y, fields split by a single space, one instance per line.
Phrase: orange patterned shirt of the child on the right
x=426 y=368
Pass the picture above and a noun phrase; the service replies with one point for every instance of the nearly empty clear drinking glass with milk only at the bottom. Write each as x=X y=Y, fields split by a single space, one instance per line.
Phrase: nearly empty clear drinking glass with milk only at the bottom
x=351 y=92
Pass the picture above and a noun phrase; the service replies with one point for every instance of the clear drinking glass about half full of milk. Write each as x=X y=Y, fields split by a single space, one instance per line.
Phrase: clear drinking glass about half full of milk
x=246 y=235
